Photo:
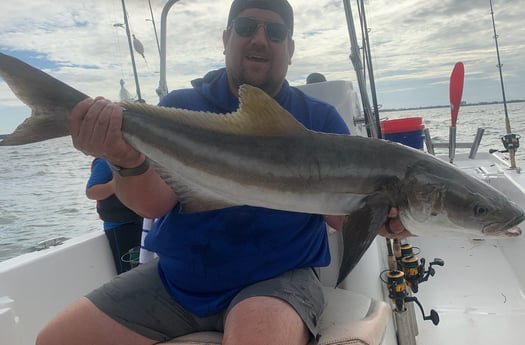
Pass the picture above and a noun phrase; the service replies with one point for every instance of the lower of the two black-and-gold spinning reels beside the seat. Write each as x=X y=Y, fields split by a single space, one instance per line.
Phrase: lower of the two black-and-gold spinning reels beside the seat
x=397 y=292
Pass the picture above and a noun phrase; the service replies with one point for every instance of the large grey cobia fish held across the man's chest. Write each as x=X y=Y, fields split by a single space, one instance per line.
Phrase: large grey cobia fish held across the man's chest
x=261 y=156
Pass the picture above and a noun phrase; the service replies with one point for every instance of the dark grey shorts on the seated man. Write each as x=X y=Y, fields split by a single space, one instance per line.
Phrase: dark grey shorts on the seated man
x=138 y=300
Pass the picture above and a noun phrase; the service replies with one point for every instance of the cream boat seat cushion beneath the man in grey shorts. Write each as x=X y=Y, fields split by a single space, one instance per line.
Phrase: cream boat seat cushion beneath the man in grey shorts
x=349 y=318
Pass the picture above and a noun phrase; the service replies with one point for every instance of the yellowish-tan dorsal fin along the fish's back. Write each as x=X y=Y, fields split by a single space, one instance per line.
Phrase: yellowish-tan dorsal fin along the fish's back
x=258 y=114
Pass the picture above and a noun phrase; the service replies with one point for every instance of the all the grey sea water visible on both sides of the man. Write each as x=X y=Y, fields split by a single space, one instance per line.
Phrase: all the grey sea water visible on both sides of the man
x=42 y=193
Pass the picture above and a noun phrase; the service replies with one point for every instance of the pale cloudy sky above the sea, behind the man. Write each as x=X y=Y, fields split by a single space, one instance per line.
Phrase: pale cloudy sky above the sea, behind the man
x=414 y=44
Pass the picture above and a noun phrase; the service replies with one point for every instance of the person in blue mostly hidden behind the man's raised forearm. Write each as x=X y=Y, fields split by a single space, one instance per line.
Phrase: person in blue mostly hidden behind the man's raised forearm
x=122 y=226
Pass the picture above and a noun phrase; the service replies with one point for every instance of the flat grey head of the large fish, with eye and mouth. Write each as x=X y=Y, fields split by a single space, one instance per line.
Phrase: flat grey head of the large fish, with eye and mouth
x=442 y=200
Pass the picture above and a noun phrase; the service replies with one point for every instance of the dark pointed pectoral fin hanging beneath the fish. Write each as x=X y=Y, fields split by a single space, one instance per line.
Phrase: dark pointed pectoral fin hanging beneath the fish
x=360 y=229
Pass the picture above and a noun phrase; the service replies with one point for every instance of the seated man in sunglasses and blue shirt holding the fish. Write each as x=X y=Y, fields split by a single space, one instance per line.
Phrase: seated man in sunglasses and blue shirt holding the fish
x=244 y=271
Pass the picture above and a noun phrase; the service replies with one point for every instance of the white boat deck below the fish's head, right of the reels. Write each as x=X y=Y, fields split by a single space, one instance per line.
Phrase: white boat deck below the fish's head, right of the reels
x=477 y=294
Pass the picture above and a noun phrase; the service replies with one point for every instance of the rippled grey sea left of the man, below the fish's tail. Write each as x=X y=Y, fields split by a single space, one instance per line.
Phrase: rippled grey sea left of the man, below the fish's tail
x=42 y=195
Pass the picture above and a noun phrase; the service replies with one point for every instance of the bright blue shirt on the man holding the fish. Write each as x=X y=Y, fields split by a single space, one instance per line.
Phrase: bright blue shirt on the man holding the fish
x=207 y=258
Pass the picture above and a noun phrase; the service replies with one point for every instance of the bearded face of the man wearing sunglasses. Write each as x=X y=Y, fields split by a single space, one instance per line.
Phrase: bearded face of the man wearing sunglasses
x=256 y=60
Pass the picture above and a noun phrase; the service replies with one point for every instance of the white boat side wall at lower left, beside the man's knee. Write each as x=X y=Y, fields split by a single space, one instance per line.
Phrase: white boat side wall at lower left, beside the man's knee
x=36 y=286
